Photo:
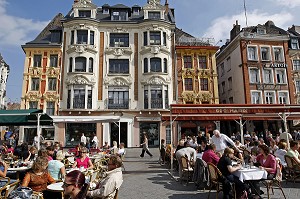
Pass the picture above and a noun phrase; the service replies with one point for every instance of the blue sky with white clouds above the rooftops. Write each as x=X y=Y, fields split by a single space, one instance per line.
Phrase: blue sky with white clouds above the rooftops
x=22 y=20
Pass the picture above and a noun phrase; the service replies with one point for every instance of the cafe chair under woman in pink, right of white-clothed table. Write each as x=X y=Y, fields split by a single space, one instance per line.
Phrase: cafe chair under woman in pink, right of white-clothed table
x=276 y=181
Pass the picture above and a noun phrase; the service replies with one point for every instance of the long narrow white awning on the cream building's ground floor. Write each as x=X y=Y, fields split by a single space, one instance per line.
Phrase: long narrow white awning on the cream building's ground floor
x=85 y=119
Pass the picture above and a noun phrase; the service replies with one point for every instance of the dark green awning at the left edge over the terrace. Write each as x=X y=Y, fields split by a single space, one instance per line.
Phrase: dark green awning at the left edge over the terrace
x=24 y=117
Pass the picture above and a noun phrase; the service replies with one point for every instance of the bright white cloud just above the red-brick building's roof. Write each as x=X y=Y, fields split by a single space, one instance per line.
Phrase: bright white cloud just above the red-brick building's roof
x=220 y=28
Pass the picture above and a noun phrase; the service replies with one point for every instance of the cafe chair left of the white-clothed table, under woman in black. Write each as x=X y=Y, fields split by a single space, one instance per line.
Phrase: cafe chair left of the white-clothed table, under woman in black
x=215 y=180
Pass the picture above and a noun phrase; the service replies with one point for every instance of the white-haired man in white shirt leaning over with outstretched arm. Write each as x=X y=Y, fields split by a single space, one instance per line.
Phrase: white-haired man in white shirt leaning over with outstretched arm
x=221 y=141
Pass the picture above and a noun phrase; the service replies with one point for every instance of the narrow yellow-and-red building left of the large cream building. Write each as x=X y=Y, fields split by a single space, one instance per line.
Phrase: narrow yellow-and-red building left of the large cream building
x=42 y=77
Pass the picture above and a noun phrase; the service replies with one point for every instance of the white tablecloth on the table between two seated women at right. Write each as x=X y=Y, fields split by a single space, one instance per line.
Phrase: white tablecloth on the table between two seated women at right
x=251 y=174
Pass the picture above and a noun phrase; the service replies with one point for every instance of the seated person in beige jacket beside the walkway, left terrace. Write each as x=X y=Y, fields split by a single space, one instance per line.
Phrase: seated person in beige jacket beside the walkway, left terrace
x=109 y=186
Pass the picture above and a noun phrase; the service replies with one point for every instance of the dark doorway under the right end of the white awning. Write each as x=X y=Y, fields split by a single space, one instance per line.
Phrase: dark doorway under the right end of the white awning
x=114 y=132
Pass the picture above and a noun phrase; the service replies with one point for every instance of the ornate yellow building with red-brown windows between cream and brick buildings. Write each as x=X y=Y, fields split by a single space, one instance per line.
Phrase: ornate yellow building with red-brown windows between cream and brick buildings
x=197 y=81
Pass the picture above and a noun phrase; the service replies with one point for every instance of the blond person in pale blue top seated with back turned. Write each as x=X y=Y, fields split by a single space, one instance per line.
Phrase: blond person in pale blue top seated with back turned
x=56 y=168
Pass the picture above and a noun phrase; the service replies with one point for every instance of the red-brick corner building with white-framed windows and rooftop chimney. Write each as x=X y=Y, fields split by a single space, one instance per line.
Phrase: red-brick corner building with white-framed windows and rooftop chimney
x=254 y=68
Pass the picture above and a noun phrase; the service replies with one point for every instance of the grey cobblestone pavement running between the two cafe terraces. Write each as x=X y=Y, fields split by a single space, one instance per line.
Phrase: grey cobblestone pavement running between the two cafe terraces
x=146 y=178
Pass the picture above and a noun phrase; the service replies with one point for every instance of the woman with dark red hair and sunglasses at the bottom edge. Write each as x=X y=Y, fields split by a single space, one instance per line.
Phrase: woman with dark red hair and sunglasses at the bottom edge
x=75 y=186
